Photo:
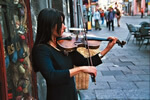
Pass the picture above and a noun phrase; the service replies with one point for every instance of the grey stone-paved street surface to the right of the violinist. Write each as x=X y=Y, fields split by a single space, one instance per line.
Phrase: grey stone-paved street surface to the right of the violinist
x=125 y=72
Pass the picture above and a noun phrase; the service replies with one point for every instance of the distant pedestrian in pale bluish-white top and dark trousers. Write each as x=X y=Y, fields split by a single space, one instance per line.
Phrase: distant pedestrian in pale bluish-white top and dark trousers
x=96 y=16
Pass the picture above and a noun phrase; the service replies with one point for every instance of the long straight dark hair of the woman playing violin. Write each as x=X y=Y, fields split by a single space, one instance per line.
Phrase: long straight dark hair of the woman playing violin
x=48 y=18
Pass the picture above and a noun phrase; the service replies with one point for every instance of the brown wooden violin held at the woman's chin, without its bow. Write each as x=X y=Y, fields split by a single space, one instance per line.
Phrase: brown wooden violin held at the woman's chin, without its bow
x=69 y=41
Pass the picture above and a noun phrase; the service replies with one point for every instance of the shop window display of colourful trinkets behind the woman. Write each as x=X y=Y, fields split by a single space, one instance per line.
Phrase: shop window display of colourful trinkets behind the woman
x=16 y=50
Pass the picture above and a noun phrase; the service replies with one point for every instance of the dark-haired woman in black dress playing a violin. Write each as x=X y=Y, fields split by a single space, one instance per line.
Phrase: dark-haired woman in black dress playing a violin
x=56 y=67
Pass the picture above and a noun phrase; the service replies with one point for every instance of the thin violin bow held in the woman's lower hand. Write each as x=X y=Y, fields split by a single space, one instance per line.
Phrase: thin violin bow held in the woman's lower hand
x=87 y=45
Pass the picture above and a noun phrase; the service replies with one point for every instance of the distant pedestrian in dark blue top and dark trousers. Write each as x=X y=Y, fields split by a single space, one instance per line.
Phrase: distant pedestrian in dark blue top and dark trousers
x=111 y=16
